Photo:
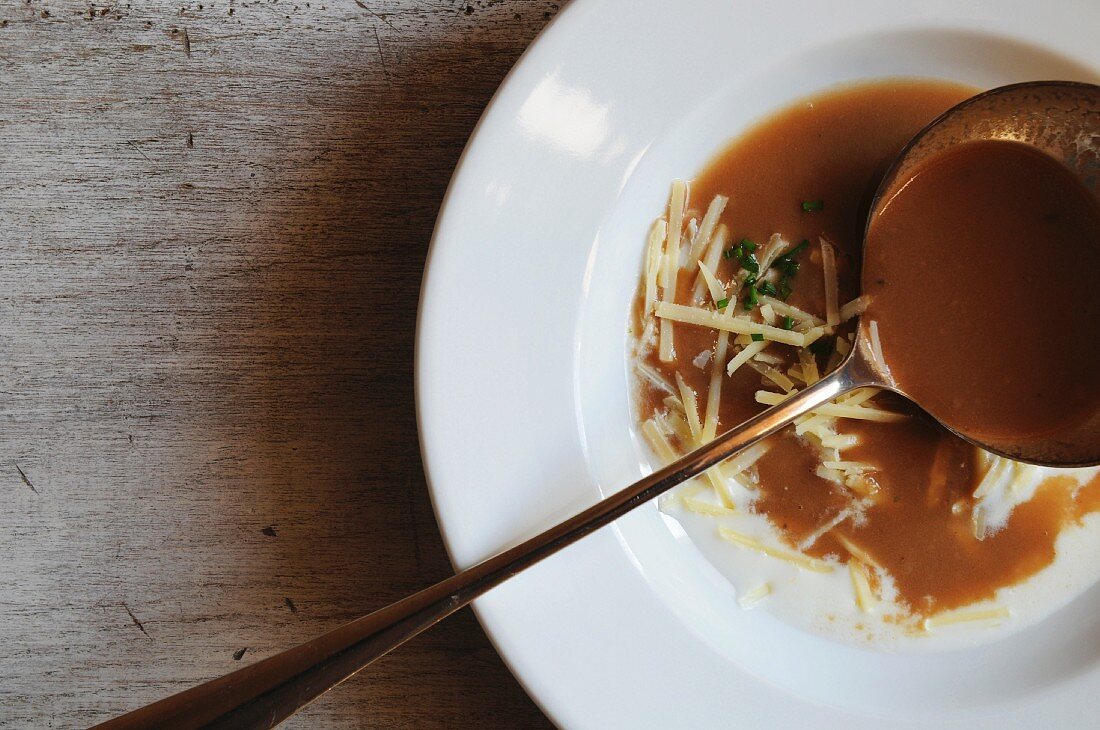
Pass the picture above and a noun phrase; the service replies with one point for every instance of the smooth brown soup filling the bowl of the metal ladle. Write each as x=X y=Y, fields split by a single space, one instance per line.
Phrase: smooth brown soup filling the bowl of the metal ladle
x=986 y=246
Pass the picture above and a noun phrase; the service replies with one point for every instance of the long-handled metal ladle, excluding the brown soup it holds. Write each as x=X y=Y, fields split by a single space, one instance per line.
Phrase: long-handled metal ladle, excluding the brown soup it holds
x=1060 y=118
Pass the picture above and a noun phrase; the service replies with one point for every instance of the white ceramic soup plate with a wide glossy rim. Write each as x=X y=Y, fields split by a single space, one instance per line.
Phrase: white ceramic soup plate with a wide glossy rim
x=522 y=364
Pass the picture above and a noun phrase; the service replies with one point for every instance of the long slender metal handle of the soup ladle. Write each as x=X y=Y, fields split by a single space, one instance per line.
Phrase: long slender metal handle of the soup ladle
x=265 y=694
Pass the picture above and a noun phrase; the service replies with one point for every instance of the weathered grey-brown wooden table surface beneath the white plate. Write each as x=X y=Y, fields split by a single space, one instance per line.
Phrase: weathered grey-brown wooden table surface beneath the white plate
x=214 y=220
